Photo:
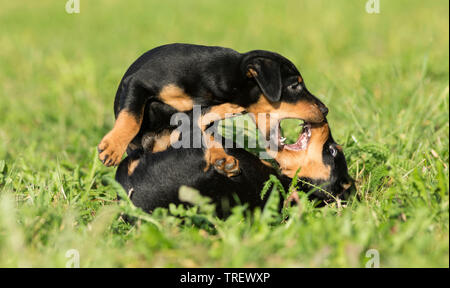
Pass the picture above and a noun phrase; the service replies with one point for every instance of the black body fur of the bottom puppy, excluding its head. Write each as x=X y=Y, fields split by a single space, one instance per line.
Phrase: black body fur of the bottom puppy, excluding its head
x=156 y=180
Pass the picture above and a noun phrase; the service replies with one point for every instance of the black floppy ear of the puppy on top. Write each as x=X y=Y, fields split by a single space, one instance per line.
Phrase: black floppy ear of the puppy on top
x=267 y=75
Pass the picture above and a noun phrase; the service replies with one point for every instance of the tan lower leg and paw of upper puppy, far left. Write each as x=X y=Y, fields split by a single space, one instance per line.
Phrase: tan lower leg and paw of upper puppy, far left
x=113 y=145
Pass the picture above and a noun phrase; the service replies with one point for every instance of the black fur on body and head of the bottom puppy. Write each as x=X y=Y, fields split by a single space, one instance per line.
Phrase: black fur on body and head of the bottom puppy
x=156 y=179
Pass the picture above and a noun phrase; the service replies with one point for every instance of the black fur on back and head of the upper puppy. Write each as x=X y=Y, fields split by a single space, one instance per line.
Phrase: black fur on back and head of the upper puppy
x=210 y=76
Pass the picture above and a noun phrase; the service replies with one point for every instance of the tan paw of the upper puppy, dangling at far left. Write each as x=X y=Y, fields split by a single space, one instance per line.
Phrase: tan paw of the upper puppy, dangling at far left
x=110 y=151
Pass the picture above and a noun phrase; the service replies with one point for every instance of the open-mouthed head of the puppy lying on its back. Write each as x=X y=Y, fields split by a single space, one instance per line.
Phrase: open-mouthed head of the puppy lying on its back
x=321 y=161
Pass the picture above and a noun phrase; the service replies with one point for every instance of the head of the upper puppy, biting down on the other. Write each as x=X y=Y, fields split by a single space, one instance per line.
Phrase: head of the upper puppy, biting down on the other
x=276 y=87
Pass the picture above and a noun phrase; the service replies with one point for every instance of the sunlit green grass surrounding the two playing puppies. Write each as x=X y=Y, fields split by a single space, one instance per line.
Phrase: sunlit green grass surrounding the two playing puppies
x=384 y=77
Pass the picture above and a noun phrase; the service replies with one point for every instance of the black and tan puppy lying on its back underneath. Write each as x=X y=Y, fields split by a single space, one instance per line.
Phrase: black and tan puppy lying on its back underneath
x=153 y=179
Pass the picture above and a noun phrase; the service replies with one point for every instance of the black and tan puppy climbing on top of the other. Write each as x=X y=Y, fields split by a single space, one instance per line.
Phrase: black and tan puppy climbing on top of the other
x=173 y=78
